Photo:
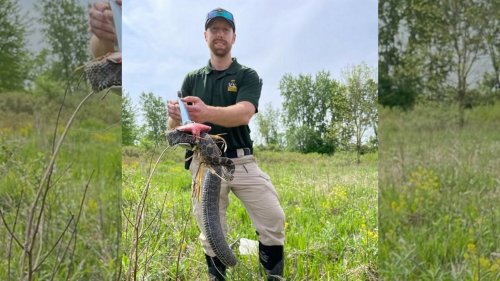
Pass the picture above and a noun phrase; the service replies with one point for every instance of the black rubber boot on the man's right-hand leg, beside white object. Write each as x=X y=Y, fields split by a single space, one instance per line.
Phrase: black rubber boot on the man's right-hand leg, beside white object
x=271 y=257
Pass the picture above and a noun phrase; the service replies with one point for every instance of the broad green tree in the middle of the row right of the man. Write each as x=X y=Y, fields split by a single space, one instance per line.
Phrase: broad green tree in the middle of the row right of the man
x=310 y=108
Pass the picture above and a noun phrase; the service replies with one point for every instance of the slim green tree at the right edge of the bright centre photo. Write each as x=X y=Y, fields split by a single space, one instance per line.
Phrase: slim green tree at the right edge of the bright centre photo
x=361 y=94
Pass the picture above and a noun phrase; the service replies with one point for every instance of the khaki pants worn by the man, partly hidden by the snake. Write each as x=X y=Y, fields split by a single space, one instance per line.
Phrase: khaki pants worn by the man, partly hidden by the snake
x=255 y=190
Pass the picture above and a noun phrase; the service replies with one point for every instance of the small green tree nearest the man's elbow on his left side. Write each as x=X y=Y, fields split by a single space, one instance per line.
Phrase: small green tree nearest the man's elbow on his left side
x=155 y=116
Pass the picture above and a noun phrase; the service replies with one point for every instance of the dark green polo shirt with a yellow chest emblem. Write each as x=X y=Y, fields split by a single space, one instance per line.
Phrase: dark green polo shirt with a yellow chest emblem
x=224 y=88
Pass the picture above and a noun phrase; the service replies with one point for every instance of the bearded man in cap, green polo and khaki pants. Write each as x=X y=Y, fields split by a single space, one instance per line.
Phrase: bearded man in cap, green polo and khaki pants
x=225 y=96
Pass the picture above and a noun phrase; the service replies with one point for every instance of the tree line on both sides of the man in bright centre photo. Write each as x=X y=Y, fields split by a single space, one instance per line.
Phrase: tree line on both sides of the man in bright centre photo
x=318 y=114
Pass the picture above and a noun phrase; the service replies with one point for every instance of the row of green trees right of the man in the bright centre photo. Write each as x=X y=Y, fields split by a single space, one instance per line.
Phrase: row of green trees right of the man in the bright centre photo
x=322 y=114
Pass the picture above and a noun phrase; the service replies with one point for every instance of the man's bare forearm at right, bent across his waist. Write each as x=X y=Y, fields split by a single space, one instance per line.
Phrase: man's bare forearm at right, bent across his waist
x=231 y=116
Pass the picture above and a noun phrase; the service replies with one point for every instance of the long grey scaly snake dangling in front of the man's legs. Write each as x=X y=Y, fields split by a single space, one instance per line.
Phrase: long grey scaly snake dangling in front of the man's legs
x=196 y=135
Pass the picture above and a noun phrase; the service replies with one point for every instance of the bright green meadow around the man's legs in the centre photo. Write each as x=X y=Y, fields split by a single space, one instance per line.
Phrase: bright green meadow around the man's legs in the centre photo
x=330 y=204
